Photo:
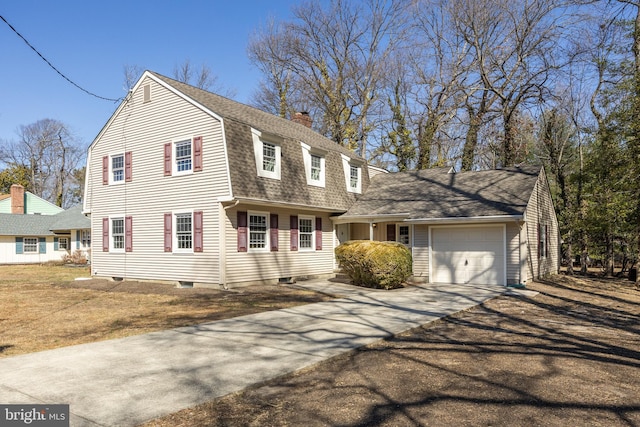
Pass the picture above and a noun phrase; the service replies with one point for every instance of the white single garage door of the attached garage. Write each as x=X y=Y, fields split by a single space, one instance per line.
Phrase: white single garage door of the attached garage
x=468 y=255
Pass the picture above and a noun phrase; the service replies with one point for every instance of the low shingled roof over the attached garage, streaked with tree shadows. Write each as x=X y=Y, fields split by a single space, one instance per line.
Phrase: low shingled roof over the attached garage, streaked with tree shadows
x=435 y=194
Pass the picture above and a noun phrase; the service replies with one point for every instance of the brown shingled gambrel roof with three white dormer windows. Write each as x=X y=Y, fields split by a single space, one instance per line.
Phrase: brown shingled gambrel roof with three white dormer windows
x=292 y=188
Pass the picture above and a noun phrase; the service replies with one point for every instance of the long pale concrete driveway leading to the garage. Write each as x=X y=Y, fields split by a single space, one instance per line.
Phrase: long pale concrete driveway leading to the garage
x=127 y=381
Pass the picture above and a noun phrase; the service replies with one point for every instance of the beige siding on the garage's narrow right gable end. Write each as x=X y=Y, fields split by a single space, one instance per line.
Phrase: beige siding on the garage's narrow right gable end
x=540 y=210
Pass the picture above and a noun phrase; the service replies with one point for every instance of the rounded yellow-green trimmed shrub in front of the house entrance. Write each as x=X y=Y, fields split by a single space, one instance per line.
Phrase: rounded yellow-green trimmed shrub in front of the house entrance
x=381 y=265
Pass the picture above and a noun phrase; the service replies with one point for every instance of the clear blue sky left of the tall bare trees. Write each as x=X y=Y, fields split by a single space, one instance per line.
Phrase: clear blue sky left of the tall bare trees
x=91 y=41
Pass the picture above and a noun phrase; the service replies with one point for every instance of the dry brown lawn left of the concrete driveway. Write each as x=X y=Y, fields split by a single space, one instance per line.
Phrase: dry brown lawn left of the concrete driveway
x=44 y=307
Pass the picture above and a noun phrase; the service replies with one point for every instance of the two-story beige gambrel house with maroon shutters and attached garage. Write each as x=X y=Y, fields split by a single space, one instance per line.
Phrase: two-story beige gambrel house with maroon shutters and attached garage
x=187 y=186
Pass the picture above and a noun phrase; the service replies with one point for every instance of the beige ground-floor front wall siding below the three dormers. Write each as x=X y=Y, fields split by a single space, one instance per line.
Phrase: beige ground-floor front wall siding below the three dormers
x=268 y=267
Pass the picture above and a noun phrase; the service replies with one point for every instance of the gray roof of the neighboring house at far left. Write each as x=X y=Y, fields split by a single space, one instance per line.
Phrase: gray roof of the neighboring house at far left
x=43 y=225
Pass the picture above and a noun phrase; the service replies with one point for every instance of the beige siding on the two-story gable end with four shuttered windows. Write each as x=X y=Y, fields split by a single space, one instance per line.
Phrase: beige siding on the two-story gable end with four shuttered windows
x=143 y=129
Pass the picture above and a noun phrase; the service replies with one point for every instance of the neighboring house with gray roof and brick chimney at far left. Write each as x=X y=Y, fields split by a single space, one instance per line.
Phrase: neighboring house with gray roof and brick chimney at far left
x=27 y=238
